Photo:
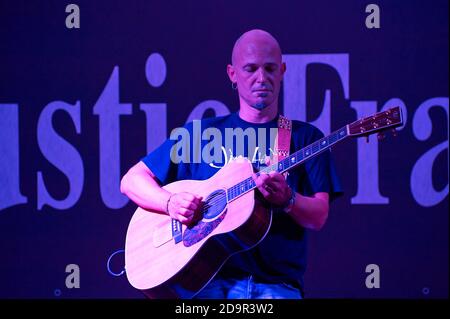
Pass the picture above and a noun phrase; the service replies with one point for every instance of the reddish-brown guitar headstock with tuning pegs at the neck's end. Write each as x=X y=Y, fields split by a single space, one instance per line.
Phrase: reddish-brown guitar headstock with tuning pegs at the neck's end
x=378 y=122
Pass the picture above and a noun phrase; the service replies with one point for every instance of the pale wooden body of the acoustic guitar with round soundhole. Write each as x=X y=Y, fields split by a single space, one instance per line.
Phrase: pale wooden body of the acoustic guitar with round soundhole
x=163 y=268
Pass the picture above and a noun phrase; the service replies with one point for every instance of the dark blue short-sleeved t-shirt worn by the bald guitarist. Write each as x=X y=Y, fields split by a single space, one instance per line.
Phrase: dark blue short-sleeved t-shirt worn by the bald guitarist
x=189 y=154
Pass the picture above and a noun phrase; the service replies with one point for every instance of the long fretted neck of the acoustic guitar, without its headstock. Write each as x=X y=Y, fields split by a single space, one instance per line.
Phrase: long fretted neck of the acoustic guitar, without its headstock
x=290 y=162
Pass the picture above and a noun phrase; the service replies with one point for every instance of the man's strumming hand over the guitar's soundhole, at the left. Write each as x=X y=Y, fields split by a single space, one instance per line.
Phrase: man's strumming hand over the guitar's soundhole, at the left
x=185 y=207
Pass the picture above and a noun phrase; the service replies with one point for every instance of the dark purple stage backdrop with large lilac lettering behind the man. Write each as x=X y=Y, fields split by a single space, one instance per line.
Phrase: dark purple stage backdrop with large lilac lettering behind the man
x=77 y=109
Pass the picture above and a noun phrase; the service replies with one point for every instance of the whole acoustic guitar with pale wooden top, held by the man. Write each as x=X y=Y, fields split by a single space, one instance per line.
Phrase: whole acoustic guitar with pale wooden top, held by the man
x=166 y=259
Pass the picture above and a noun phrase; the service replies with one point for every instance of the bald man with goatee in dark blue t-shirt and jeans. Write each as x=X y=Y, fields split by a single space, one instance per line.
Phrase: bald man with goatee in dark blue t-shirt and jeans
x=275 y=267
